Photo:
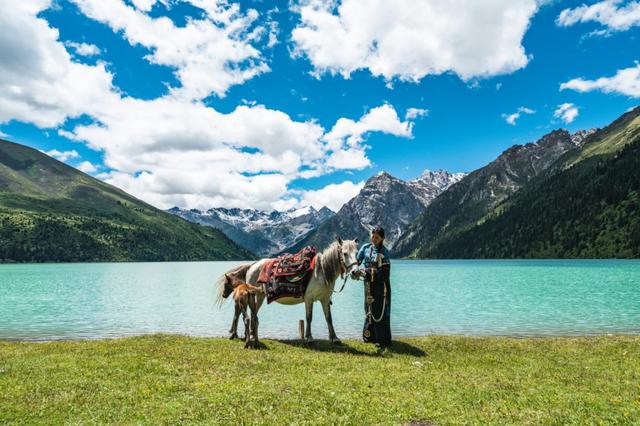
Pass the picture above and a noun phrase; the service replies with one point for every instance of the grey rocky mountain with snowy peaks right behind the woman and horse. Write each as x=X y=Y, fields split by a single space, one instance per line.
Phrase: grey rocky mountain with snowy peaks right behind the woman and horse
x=386 y=201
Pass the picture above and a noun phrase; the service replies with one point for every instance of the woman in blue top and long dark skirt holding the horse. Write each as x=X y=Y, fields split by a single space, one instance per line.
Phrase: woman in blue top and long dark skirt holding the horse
x=377 y=268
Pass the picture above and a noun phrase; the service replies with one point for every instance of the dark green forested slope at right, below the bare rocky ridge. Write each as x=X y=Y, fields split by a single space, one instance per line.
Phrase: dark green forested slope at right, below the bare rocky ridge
x=586 y=206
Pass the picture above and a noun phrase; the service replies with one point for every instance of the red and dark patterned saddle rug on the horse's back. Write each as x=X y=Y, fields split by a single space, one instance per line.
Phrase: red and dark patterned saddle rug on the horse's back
x=288 y=275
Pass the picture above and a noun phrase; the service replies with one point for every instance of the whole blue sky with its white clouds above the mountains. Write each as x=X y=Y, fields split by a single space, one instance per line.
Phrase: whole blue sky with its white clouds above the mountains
x=245 y=108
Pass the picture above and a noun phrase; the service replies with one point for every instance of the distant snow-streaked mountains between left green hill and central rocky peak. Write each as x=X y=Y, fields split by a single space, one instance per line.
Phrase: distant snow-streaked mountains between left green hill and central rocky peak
x=264 y=233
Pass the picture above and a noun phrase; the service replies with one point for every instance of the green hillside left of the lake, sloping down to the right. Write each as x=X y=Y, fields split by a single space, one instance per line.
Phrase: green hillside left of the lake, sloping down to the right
x=51 y=212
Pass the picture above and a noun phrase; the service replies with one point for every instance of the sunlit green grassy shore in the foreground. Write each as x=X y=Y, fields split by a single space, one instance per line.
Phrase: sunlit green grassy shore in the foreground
x=165 y=379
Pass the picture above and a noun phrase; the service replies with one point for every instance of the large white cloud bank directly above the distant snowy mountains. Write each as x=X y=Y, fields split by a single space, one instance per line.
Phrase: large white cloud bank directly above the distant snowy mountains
x=191 y=155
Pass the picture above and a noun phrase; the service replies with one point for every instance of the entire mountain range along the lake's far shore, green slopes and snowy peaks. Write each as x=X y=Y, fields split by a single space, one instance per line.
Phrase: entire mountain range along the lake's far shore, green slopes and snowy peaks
x=565 y=195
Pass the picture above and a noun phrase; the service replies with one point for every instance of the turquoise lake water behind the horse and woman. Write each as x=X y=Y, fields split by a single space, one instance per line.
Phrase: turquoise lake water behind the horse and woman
x=522 y=298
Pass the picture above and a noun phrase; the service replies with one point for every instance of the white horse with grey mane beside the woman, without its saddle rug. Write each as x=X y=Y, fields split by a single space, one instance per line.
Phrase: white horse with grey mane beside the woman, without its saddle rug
x=336 y=260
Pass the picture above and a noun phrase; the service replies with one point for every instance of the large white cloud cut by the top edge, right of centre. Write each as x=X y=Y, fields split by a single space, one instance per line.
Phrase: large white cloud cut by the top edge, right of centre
x=409 y=39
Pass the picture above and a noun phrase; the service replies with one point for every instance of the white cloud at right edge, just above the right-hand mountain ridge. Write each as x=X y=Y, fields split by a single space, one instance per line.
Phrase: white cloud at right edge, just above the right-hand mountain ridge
x=625 y=82
